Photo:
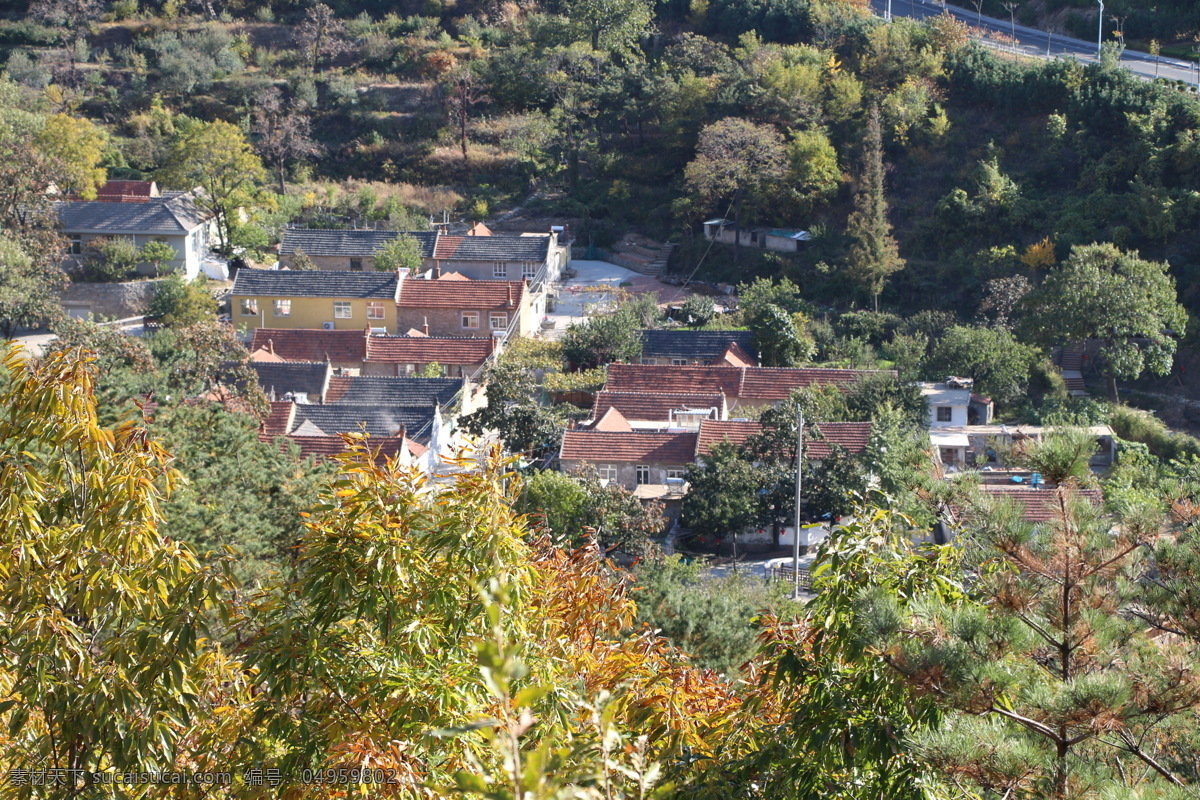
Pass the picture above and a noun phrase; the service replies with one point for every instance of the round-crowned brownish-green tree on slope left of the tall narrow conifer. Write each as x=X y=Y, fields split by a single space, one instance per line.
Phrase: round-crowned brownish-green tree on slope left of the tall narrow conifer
x=735 y=159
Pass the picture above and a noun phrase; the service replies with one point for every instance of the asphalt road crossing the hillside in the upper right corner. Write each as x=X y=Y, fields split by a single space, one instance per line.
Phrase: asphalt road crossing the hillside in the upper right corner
x=1031 y=41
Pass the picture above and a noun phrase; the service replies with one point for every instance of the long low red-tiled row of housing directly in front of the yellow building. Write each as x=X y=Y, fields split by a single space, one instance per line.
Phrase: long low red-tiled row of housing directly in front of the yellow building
x=374 y=354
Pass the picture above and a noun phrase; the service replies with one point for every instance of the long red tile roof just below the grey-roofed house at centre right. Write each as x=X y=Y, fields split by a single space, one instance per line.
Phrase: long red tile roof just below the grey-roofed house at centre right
x=755 y=384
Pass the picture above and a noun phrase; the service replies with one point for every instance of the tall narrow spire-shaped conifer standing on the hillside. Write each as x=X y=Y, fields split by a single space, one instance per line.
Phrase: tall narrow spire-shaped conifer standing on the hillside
x=873 y=255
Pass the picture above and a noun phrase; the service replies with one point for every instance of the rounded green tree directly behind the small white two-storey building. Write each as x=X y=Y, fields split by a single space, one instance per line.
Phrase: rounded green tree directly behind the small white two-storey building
x=999 y=364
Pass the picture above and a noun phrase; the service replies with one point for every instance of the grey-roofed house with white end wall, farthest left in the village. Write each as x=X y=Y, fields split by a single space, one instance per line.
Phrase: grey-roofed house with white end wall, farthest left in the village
x=123 y=213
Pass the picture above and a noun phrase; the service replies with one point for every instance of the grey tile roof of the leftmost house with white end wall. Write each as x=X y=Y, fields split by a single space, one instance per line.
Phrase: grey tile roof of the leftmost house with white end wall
x=175 y=215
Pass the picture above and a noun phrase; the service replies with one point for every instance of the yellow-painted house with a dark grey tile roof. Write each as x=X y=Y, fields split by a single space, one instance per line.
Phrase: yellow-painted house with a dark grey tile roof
x=314 y=300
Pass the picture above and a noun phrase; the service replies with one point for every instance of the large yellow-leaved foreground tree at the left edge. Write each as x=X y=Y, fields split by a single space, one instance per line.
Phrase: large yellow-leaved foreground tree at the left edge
x=105 y=617
